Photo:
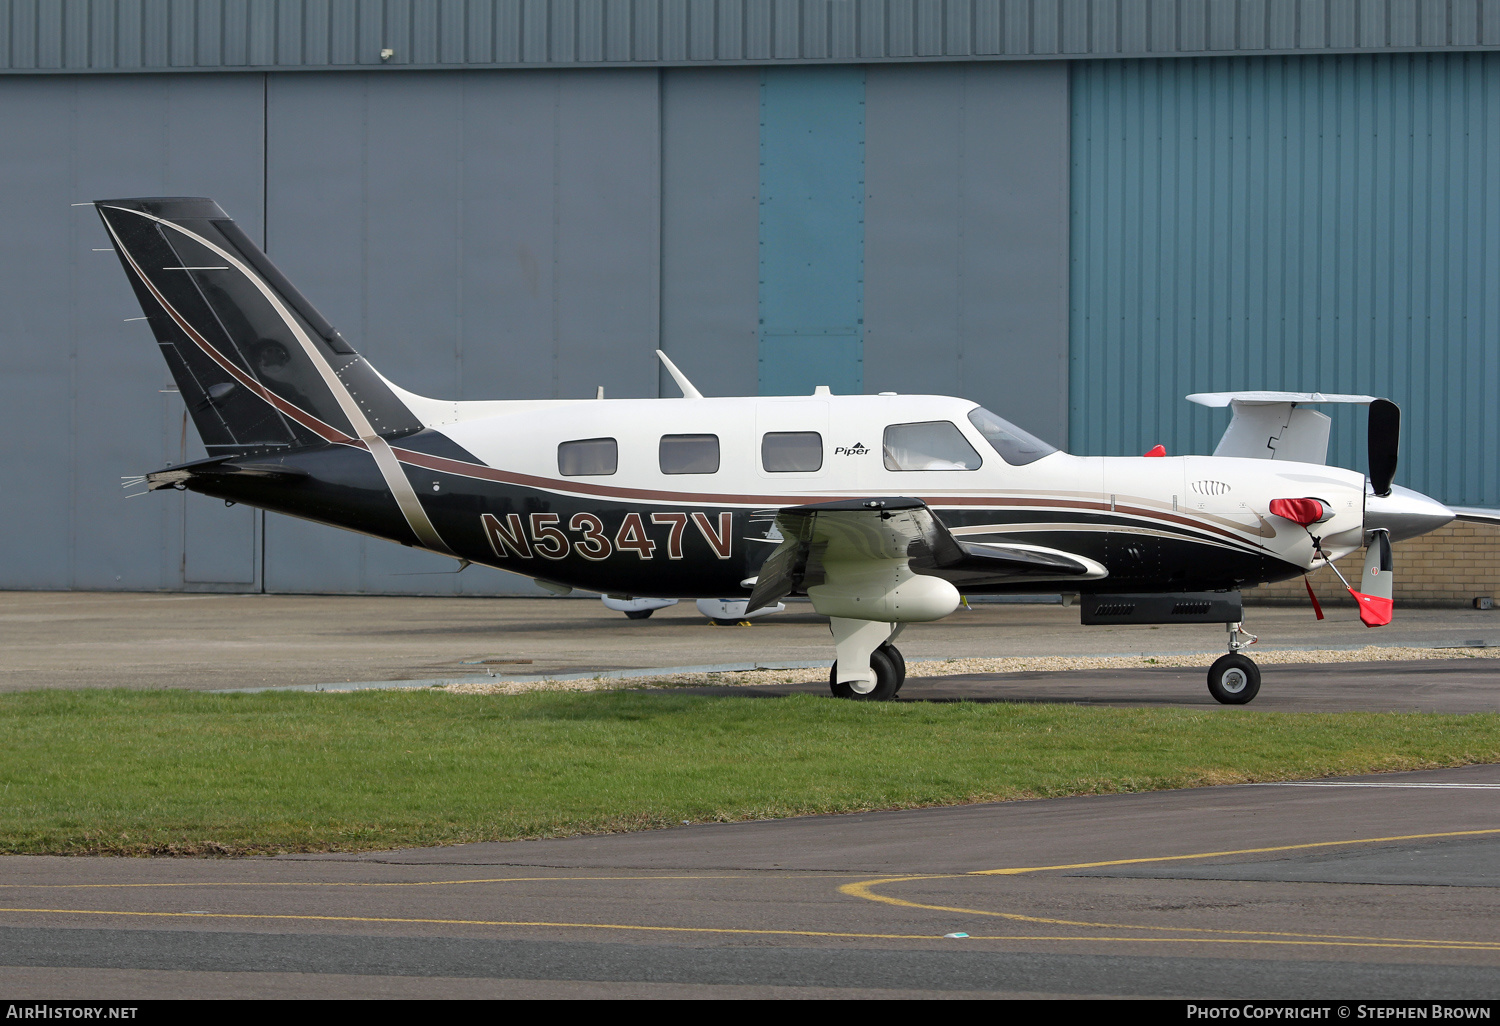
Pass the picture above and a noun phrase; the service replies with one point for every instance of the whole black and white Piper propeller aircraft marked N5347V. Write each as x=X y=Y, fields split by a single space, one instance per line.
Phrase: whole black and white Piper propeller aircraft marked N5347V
x=878 y=509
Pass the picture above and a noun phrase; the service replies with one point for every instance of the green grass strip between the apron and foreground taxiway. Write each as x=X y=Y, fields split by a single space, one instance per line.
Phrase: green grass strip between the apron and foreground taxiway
x=134 y=773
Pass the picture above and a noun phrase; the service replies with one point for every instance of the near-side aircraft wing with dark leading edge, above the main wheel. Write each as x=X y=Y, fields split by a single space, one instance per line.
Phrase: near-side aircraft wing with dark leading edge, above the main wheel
x=892 y=529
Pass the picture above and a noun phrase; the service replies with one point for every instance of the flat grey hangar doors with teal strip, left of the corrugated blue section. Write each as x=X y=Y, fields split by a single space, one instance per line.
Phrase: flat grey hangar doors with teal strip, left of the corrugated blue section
x=515 y=235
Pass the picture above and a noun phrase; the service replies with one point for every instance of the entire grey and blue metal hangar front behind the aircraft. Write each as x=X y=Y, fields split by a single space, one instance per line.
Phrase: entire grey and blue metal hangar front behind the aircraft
x=1075 y=242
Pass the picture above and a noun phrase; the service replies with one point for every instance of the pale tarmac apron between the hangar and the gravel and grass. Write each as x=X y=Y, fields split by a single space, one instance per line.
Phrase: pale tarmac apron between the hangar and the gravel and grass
x=208 y=641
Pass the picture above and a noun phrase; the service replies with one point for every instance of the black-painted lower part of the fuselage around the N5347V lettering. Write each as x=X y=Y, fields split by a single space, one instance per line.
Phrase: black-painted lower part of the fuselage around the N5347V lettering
x=340 y=485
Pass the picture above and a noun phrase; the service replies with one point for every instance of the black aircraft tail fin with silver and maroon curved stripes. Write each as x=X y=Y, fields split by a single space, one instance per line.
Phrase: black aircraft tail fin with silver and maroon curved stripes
x=257 y=365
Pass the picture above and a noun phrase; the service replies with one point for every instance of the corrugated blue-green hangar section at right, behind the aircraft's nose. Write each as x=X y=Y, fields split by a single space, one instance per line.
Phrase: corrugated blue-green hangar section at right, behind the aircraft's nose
x=1306 y=223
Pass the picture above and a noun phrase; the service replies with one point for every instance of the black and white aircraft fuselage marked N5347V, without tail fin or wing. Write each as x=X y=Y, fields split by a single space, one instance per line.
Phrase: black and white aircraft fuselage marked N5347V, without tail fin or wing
x=494 y=478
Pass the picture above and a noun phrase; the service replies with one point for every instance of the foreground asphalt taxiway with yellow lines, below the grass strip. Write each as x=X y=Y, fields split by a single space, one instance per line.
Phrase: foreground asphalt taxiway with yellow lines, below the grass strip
x=1370 y=887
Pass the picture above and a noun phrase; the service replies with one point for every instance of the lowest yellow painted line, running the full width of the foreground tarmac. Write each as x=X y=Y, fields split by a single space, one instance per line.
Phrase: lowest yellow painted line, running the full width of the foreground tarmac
x=1378 y=943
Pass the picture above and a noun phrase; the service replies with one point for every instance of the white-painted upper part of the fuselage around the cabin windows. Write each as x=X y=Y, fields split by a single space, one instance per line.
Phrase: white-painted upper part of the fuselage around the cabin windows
x=1223 y=502
